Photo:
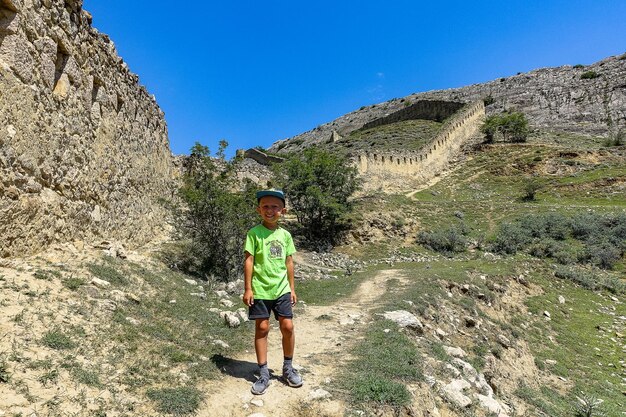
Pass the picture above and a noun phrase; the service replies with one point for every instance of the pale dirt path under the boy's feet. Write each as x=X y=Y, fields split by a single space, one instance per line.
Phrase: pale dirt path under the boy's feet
x=321 y=347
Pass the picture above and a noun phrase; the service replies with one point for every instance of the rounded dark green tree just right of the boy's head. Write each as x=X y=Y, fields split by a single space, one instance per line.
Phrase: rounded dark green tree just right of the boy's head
x=318 y=185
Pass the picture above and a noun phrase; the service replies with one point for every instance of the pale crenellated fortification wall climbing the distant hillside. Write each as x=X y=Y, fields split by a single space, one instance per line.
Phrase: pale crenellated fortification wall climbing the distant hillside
x=388 y=168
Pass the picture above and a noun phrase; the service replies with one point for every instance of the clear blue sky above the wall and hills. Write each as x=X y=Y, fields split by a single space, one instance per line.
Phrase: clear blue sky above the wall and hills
x=254 y=72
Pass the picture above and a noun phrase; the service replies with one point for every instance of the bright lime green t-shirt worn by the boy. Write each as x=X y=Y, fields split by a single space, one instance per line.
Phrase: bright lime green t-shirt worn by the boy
x=270 y=248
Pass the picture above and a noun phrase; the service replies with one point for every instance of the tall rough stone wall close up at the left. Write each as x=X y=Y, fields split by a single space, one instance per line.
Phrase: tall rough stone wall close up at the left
x=84 y=152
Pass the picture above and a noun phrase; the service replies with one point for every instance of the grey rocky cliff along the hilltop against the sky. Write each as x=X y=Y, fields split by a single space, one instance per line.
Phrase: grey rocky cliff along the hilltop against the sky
x=584 y=99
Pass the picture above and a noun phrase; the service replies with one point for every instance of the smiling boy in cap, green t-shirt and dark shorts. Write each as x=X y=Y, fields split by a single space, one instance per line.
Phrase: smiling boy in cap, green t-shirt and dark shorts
x=269 y=285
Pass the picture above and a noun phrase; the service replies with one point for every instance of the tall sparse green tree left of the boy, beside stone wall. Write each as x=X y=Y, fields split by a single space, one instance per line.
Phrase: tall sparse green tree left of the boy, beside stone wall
x=215 y=218
